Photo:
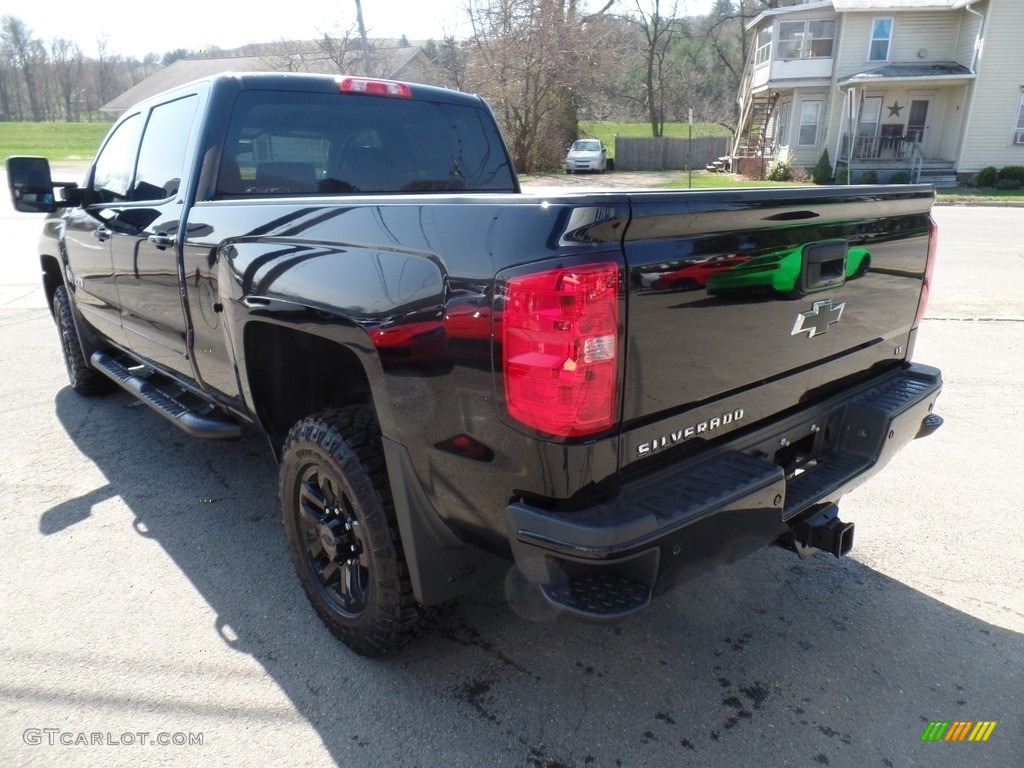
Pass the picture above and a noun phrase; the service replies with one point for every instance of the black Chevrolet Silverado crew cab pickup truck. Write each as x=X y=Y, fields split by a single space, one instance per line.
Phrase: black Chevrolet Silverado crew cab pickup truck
x=615 y=391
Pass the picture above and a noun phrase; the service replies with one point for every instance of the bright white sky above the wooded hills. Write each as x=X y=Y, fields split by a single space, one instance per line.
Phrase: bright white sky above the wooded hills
x=196 y=25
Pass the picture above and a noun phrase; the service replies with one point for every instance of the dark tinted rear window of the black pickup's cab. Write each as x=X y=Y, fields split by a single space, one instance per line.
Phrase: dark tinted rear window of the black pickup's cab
x=287 y=144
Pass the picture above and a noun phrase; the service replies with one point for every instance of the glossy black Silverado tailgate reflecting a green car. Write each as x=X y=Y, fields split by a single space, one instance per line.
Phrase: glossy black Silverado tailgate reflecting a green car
x=744 y=306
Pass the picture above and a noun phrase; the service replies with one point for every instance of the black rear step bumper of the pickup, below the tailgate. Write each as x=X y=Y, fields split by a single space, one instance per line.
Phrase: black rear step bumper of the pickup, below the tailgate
x=682 y=521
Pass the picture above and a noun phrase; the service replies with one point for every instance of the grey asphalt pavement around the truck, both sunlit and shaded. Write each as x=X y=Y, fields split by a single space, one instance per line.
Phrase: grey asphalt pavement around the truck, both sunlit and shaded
x=148 y=595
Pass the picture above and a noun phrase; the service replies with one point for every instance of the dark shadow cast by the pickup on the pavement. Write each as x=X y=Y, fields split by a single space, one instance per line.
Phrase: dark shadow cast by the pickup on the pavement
x=773 y=661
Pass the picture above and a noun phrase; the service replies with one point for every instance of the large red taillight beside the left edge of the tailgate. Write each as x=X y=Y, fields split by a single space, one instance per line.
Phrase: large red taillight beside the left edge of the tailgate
x=561 y=349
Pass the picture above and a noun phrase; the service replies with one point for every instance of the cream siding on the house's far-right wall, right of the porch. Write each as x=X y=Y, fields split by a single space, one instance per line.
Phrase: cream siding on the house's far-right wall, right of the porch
x=989 y=140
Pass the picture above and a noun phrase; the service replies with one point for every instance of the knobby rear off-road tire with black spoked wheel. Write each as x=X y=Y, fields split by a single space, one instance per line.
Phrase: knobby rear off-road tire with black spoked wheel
x=343 y=534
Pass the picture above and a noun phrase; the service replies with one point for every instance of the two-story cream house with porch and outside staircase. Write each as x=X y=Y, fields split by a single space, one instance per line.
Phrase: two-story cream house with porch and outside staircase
x=927 y=91
